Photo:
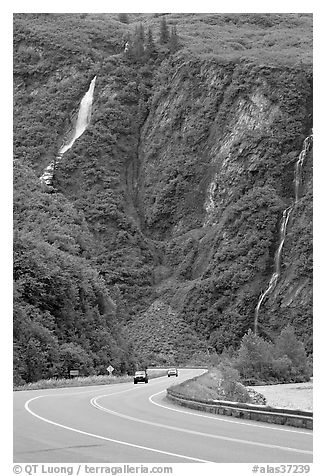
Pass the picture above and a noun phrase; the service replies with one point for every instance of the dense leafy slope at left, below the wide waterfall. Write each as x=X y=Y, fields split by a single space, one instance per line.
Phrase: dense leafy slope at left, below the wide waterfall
x=63 y=315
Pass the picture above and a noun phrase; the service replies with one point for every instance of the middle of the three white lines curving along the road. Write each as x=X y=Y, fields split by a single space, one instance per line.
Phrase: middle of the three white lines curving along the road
x=95 y=404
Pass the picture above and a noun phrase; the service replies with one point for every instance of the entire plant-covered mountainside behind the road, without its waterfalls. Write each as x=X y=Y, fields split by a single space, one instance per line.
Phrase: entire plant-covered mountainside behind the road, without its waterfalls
x=173 y=195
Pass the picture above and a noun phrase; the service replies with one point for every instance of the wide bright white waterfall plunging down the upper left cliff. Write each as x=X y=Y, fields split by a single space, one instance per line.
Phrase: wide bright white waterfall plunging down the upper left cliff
x=83 y=119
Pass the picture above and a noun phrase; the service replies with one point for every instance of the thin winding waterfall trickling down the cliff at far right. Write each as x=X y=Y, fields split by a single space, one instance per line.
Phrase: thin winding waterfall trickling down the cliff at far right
x=285 y=219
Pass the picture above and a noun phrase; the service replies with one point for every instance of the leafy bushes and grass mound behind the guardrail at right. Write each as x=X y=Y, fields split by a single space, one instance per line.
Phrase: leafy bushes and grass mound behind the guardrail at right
x=256 y=362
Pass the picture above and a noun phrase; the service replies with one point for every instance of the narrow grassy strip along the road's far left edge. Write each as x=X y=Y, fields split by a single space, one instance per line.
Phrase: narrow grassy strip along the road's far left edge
x=83 y=381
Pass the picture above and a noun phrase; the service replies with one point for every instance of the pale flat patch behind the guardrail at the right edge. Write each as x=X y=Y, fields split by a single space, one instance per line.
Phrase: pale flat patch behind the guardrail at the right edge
x=289 y=395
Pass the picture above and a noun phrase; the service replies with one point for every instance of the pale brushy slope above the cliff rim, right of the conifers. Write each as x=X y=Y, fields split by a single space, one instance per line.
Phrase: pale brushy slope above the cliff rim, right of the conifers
x=266 y=37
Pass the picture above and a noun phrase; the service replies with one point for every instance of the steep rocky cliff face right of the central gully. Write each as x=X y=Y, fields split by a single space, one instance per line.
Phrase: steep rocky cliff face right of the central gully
x=216 y=162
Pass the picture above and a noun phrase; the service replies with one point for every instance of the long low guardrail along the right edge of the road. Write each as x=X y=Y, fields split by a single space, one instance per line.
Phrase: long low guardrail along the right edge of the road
x=279 y=416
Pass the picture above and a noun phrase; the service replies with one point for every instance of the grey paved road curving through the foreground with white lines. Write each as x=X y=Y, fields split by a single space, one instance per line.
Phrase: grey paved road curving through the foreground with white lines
x=124 y=423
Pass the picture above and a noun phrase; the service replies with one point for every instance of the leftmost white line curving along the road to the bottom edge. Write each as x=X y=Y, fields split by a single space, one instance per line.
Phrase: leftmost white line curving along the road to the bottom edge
x=111 y=440
